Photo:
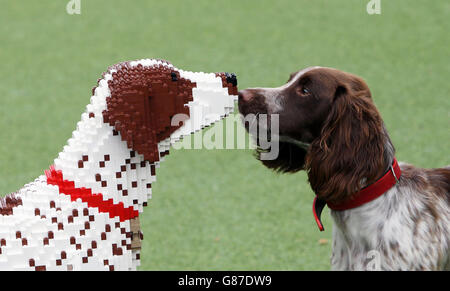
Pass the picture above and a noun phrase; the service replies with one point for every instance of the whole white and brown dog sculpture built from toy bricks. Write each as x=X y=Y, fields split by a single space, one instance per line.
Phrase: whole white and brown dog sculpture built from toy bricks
x=83 y=214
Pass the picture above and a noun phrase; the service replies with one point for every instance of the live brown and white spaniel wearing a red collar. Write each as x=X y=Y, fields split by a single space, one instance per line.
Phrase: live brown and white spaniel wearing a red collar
x=387 y=215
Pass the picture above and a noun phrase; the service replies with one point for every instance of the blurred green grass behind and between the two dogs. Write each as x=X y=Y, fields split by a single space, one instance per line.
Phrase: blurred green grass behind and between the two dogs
x=221 y=210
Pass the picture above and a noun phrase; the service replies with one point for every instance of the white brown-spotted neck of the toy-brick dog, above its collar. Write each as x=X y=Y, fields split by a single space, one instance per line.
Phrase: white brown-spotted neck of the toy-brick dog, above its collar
x=97 y=158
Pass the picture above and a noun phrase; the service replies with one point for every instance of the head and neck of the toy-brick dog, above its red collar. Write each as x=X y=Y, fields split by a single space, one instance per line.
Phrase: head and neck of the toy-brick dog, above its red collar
x=137 y=111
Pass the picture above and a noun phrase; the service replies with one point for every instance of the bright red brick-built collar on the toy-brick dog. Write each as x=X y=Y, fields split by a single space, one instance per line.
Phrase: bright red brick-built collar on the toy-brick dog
x=67 y=187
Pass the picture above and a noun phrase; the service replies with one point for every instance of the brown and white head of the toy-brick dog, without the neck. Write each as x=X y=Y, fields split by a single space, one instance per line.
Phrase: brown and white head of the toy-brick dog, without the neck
x=150 y=101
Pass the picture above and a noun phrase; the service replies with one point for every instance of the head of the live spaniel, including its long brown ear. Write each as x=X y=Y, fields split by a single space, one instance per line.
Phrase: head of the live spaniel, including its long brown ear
x=327 y=122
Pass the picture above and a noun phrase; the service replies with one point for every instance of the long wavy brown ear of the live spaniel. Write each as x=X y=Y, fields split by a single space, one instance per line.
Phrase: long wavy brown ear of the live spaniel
x=349 y=152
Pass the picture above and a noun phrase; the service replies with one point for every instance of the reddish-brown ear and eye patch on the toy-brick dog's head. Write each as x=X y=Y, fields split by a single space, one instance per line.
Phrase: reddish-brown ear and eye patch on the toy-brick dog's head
x=143 y=100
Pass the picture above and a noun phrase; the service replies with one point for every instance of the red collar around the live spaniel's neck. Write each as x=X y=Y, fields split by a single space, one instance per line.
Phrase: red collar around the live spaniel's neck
x=365 y=195
